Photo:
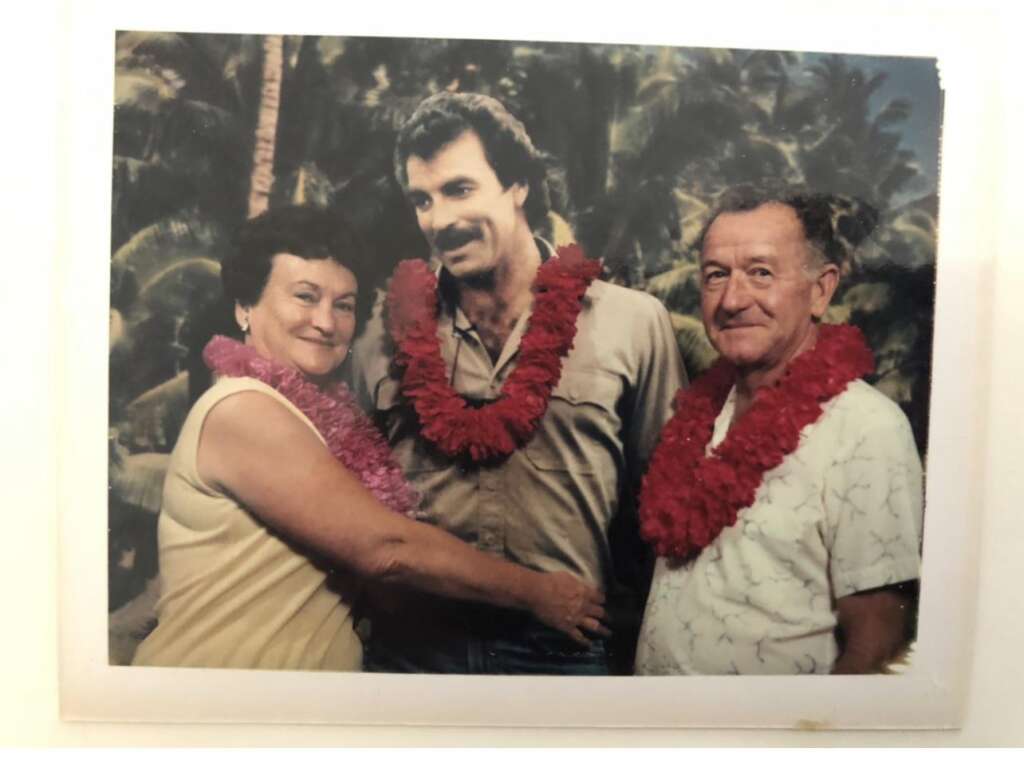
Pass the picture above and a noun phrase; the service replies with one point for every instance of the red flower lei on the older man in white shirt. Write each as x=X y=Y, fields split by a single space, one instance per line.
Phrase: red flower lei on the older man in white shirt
x=688 y=497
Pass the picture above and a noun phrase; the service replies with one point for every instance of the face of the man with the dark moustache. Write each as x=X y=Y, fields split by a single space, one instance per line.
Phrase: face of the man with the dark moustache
x=471 y=221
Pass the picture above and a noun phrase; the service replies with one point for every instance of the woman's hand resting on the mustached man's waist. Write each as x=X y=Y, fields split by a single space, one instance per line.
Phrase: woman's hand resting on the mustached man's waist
x=568 y=605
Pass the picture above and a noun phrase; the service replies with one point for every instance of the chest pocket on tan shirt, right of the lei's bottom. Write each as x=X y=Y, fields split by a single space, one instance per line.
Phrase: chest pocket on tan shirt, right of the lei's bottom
x=581 y=426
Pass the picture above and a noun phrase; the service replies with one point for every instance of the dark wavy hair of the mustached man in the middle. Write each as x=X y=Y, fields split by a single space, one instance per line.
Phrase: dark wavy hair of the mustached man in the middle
x=442 y=118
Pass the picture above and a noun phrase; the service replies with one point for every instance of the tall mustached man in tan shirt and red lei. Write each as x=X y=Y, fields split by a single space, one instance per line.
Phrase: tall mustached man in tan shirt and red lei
x=521 y=395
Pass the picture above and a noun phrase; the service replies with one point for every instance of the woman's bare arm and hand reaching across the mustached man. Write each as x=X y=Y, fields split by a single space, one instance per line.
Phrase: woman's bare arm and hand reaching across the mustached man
x=258 y=450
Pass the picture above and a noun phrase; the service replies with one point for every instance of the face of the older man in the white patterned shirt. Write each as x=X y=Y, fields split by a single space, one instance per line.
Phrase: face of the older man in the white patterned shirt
x=759 y=295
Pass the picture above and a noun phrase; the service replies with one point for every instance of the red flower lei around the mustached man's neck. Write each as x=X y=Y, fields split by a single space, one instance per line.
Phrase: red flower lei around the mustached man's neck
x=500 y=428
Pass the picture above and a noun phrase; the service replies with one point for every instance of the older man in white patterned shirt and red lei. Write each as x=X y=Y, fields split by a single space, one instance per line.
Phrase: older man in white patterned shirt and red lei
x=785 y=498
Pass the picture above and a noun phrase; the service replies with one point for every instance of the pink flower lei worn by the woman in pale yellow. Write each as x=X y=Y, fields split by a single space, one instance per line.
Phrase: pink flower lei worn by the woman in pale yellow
x=351 y=436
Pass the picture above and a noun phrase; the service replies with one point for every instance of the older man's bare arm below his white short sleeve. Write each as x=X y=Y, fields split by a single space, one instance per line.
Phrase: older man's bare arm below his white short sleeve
x=872 y=629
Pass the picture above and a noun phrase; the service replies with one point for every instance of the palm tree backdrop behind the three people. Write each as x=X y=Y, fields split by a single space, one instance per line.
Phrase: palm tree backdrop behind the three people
x=211 y=130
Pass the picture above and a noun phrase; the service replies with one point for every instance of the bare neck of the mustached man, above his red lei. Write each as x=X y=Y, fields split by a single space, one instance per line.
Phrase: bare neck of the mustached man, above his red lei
x=503 y=293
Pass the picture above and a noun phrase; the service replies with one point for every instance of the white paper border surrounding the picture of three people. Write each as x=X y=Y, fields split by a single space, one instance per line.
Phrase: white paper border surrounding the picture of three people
x=932 y=691
